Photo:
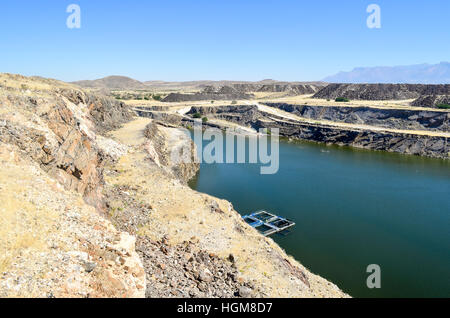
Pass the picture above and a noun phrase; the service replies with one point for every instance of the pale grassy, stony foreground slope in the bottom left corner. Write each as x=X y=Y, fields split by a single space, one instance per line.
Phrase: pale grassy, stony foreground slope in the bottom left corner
x=55 y=245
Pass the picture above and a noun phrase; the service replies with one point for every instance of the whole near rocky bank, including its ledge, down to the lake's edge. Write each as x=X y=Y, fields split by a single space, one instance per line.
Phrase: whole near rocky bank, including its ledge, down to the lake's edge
x=93 y=204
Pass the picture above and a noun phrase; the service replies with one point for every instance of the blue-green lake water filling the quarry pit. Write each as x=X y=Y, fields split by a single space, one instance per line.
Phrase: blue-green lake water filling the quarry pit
x=352 y=208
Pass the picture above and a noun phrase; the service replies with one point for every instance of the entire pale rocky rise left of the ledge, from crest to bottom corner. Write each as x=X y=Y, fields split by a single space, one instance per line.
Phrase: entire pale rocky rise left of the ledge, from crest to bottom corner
x=55 y=243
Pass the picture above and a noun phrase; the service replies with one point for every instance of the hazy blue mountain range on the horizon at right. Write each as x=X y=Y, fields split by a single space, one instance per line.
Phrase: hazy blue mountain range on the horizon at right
x=409 y=74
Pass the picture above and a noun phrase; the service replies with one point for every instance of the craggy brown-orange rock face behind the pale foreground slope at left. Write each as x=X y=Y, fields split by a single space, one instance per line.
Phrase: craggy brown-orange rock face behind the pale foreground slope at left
x=59 y=126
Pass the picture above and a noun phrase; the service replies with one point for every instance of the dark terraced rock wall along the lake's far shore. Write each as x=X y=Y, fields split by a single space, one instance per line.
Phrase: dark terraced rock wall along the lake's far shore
x=407 y=143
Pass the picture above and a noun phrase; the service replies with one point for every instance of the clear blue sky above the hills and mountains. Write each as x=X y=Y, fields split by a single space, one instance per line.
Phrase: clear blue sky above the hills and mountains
x=239 y=40
